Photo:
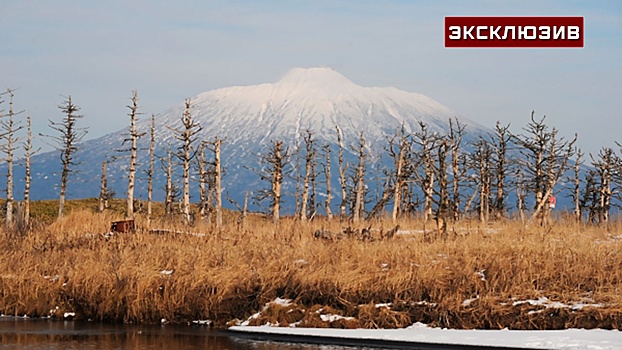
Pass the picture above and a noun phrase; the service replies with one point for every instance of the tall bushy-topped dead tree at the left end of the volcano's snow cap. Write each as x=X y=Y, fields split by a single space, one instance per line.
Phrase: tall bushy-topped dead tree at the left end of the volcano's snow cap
x=186 y=153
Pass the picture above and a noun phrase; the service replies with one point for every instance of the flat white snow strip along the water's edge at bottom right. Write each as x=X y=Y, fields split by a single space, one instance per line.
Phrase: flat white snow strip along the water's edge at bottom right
x=575 y=339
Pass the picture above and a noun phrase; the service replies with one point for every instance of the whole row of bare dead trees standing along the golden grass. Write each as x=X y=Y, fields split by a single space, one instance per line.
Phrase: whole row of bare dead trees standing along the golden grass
x=445 y=177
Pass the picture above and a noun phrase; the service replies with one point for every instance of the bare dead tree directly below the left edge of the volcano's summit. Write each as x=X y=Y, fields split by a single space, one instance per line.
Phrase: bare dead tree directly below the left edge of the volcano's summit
x=274 y=162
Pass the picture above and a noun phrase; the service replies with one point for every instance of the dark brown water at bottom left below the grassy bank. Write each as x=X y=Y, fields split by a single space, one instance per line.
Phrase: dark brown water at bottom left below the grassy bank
x=18 y=333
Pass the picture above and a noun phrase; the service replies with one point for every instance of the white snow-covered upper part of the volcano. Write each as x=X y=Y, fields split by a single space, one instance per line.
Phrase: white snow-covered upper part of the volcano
x=317 y=99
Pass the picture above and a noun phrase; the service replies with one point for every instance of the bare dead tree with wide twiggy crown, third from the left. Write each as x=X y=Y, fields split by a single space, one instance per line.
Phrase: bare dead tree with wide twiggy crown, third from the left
x=67 y=144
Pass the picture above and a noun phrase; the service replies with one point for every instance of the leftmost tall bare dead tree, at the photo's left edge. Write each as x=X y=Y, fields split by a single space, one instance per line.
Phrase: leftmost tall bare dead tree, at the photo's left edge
x=9 y=127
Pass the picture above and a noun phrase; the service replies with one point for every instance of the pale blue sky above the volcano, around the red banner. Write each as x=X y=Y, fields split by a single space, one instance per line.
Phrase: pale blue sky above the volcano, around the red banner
x=98 y=51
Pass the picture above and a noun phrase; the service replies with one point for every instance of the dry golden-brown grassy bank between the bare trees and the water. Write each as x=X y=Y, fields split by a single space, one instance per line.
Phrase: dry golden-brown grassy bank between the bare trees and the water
x=502 y=275
